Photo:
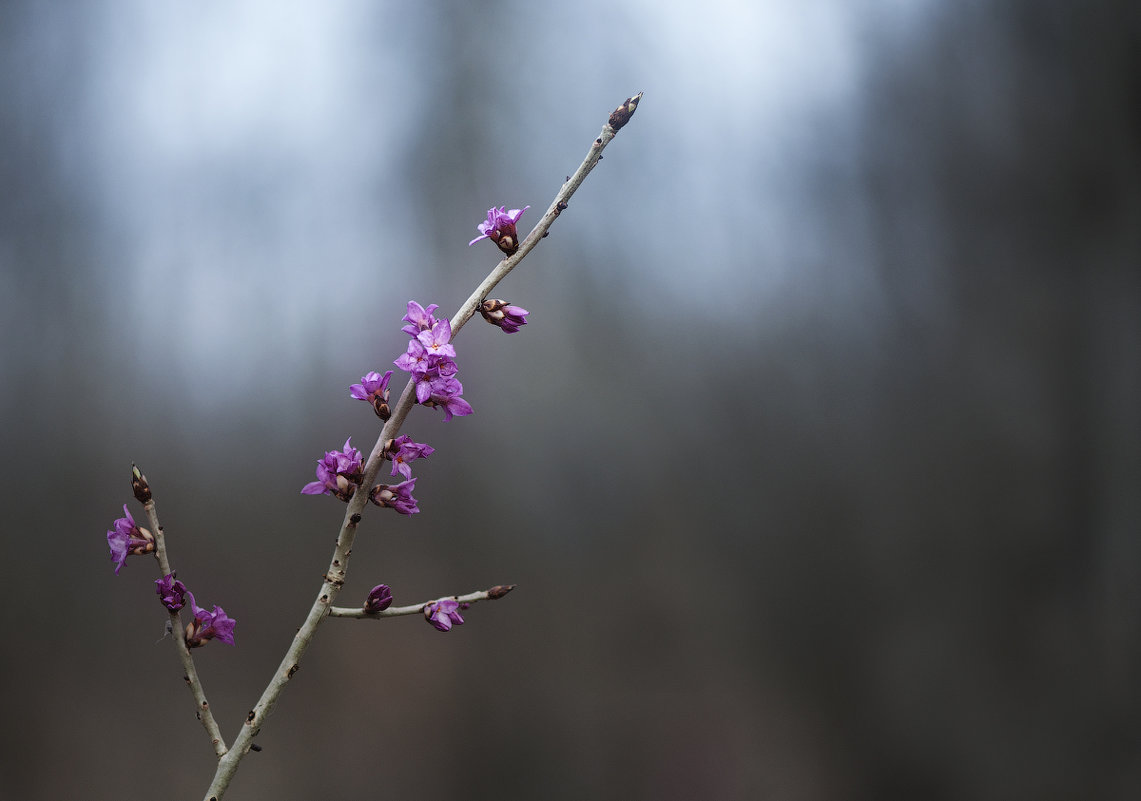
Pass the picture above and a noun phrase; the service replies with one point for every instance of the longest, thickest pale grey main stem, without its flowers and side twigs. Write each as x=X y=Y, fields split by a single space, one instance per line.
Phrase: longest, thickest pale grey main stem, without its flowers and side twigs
x=335 y=578
